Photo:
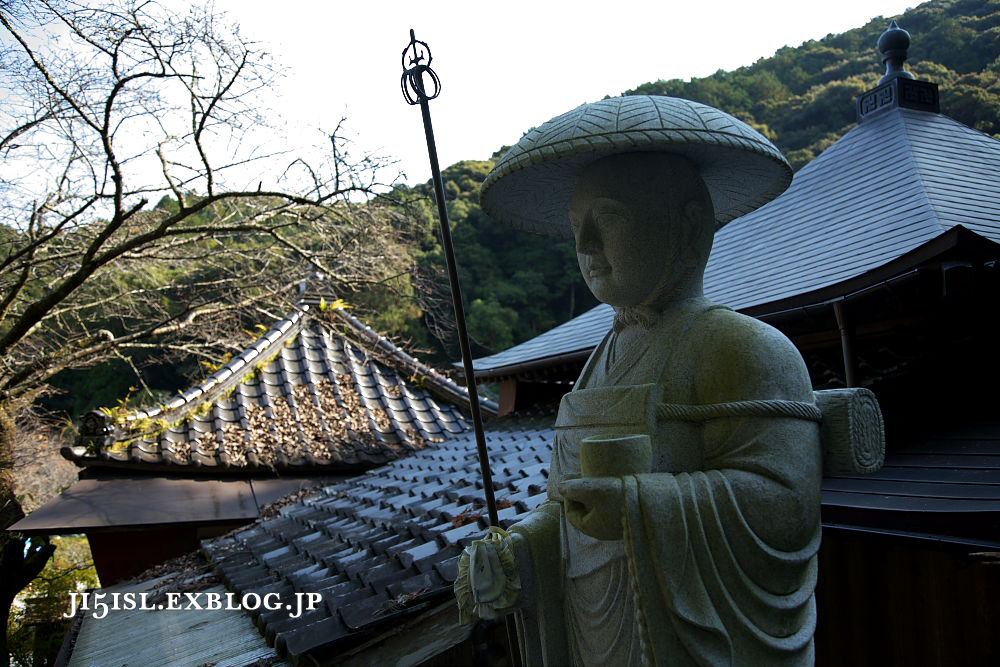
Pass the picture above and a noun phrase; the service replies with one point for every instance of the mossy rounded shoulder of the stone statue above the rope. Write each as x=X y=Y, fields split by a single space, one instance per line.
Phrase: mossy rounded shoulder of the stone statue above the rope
x=737 y=357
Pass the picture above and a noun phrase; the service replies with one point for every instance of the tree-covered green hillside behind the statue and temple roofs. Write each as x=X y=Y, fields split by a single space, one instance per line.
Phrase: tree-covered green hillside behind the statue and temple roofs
x=518 y=285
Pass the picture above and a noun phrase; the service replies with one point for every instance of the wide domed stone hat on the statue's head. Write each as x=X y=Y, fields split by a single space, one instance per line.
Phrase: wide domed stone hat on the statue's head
x=531 y=185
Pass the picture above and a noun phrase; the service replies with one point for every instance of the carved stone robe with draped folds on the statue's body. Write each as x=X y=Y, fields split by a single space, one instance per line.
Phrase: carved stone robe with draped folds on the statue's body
x=718 y=562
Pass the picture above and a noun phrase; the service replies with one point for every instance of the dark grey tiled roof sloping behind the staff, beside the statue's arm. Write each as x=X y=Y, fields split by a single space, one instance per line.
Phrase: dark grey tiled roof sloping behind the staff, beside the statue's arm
x=384 y=544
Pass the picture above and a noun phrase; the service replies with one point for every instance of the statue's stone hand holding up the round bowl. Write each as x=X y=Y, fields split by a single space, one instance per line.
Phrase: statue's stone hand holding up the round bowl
x=594 y=505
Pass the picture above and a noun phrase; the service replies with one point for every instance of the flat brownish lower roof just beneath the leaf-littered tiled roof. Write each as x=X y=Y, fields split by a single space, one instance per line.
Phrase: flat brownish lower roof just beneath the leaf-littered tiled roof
x=136 y=500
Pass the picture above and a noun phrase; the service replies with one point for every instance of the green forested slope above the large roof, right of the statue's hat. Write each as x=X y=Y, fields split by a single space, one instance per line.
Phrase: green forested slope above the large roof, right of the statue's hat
x=802 y=98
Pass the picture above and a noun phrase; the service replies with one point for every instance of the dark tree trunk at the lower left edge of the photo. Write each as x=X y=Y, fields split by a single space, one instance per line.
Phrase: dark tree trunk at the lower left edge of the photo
x=20 y=562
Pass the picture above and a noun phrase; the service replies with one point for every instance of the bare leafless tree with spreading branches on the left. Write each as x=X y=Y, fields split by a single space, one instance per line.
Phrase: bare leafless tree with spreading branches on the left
x=123 y=130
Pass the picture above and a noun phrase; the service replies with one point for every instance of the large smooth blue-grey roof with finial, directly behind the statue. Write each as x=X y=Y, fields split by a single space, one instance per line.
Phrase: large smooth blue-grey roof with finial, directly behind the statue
x=892 y=185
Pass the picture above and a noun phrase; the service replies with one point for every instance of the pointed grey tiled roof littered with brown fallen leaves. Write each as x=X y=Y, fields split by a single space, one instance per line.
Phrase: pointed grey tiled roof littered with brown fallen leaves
x=319 y=390
